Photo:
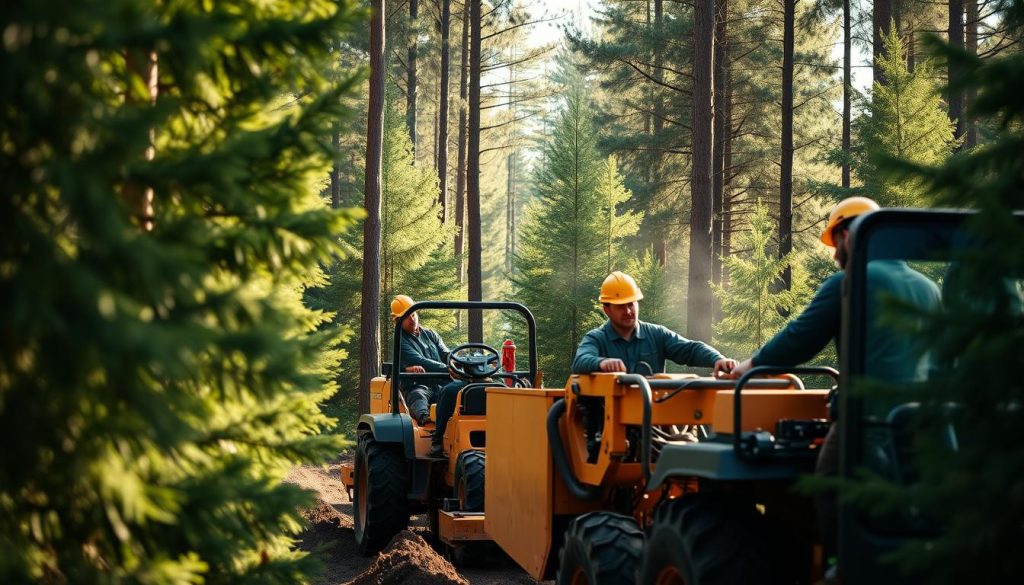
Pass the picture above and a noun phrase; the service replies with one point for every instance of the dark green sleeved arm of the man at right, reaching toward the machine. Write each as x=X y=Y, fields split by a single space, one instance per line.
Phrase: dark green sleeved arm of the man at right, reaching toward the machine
x=803 y=338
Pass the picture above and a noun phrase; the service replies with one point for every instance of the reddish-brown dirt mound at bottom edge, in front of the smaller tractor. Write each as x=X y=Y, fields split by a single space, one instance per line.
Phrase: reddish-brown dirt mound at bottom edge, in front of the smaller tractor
x=410 y=561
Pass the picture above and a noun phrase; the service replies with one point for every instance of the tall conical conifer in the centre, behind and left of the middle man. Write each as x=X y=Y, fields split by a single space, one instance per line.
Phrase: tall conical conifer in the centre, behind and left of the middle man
x=571 y=237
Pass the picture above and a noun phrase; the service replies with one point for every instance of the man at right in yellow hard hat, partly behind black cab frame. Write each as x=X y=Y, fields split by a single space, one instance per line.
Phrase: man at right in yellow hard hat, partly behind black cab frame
x=891 y=356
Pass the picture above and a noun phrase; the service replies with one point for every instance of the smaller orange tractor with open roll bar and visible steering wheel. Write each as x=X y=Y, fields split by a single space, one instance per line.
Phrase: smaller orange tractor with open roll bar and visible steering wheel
x=394 y=475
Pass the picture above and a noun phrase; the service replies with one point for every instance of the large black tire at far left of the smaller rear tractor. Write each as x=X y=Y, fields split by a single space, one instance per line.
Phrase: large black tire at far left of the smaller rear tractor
x=380 y=510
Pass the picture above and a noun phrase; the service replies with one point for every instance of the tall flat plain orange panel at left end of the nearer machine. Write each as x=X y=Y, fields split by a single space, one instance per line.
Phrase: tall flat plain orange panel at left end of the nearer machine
x=519 y=484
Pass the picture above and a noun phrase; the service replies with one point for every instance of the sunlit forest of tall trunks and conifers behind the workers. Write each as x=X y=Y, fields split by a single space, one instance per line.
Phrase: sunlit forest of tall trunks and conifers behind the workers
x=590 y=154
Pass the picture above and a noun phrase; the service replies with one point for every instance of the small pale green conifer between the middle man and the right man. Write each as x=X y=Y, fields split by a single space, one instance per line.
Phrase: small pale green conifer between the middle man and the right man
x=753 y=308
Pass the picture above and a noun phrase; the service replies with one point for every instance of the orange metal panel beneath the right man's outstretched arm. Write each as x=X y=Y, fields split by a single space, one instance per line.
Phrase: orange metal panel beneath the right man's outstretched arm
x=763 y=408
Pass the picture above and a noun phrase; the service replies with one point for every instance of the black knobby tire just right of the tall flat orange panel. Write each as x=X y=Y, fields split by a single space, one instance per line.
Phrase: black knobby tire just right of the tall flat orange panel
x=601 y=549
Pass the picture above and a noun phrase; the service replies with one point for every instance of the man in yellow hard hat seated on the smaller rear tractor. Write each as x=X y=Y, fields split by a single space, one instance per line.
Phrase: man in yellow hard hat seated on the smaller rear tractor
x=423 y=351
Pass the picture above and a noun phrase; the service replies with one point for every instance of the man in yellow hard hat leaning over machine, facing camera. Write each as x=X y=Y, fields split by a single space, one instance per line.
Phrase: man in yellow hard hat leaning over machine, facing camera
x=624 y=342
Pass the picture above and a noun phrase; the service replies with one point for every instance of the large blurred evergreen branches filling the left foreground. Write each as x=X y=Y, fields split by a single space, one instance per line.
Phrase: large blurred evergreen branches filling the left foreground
x=157 y=385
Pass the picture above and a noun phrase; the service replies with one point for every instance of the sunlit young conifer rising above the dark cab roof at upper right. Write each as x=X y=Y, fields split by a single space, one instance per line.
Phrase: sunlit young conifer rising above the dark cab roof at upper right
x=908 y=121
